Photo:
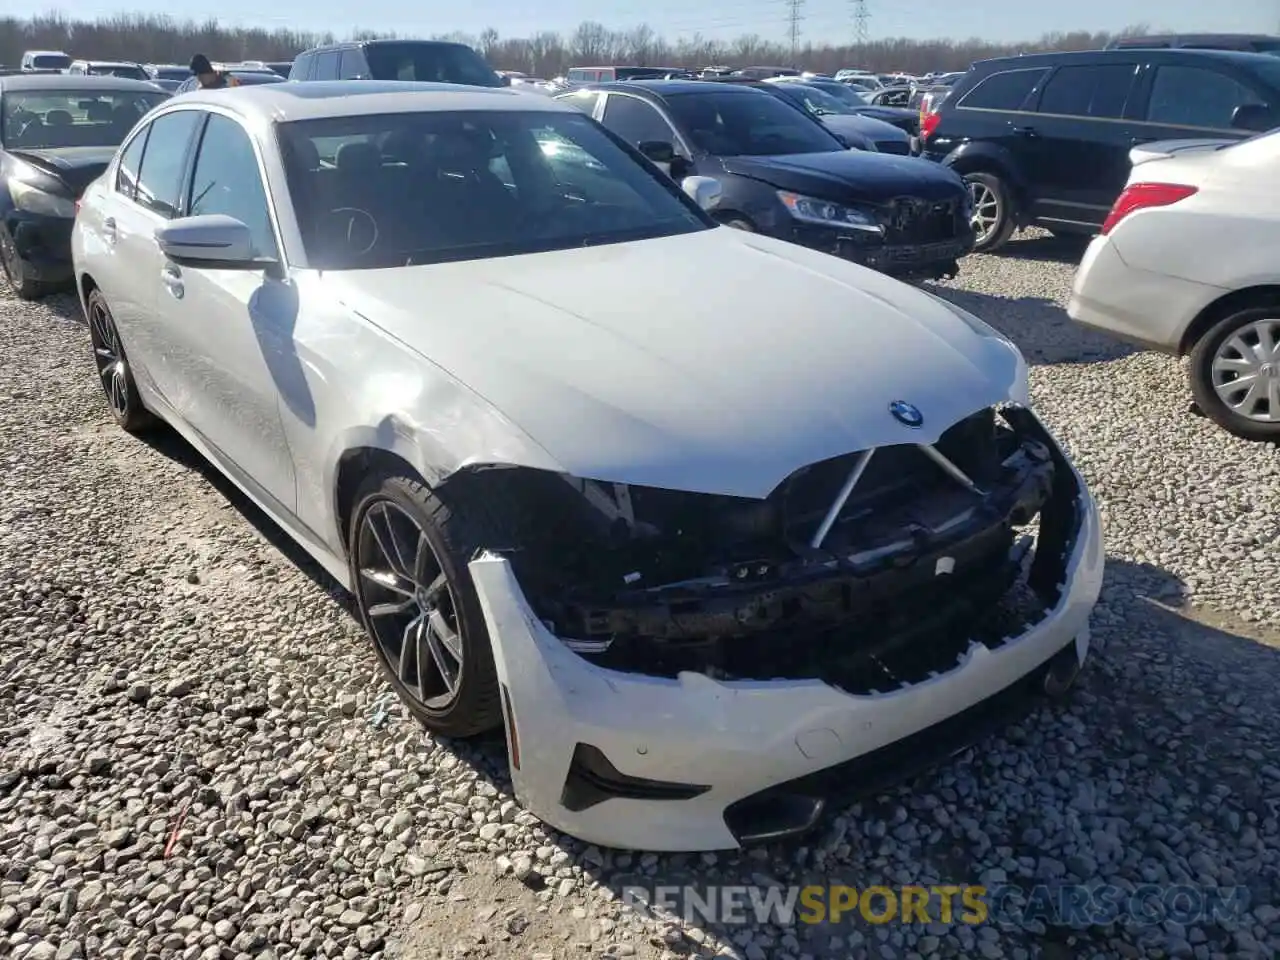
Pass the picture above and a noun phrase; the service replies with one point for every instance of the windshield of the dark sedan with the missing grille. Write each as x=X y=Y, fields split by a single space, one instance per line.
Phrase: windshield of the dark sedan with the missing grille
x=755 y=124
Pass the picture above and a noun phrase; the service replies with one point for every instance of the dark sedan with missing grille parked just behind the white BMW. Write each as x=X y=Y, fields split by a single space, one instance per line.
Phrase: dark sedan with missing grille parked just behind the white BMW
x=785 y=175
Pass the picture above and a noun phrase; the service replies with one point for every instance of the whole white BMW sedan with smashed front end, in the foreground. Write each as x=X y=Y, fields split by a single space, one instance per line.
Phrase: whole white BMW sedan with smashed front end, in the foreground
x=715 y=527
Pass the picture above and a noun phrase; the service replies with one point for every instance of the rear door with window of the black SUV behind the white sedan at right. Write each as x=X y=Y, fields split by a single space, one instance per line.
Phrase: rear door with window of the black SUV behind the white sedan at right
x=1078 y=141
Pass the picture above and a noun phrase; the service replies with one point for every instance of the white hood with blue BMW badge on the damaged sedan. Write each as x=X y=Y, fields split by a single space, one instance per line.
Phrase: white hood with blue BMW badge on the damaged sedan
x=717 y=362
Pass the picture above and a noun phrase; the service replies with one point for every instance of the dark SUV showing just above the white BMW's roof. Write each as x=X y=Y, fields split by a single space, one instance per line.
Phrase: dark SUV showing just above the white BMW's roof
x=423 y=61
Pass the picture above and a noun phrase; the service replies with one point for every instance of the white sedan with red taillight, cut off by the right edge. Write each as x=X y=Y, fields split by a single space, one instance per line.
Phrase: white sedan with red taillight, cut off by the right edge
x=1187 y=264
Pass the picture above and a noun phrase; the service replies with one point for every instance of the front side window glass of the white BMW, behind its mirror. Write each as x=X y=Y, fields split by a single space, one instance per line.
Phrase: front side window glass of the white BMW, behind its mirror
x=227 y=181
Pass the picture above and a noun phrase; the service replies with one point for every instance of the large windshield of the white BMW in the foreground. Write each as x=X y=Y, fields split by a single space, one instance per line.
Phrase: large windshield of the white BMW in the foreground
x=395 y=190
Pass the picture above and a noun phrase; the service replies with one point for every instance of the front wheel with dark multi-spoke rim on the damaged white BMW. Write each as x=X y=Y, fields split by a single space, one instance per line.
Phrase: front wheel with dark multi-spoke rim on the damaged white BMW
x=409 y=569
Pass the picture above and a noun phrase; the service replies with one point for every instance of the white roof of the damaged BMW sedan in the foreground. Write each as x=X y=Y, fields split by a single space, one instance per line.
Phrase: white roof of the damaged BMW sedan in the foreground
x=282 y=103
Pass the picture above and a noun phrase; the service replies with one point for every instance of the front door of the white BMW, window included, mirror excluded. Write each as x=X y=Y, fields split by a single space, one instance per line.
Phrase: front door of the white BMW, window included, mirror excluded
x=234 y=327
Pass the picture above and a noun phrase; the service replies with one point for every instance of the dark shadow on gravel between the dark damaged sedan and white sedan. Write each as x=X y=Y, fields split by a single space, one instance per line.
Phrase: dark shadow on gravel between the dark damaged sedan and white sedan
x=1040 y=327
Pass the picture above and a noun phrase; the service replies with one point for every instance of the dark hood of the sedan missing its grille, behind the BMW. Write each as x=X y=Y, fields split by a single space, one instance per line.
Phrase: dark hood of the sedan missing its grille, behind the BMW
x=852 y=176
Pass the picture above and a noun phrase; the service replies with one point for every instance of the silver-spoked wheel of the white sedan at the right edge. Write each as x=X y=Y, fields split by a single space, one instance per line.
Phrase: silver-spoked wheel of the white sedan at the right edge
x=1236 y=373
